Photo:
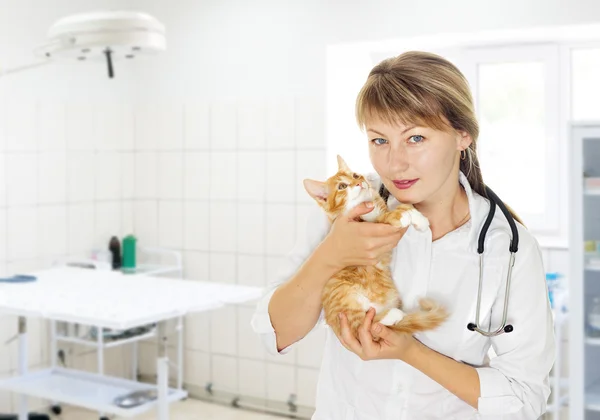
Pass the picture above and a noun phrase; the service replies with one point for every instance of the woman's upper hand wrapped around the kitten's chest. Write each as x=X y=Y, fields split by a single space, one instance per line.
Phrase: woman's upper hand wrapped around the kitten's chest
x=352 y=242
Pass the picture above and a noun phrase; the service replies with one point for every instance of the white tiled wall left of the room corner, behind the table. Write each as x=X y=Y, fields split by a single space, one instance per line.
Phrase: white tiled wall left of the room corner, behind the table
x=66 y=186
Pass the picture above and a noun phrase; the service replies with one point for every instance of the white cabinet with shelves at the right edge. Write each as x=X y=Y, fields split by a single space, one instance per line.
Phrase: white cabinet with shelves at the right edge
x=584 y=349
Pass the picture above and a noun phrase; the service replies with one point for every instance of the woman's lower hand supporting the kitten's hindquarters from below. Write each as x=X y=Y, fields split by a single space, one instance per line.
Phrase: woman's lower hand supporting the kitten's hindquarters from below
x=391 y=344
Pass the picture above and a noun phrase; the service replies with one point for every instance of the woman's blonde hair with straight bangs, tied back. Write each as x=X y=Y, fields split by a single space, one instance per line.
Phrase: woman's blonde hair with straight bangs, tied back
x=423 y=88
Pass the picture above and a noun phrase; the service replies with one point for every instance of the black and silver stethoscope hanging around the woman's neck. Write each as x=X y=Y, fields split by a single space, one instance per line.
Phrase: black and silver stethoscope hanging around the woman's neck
x=514 y=245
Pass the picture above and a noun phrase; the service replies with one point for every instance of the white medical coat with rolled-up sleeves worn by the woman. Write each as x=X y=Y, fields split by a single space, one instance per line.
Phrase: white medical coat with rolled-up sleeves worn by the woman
x=514 y=383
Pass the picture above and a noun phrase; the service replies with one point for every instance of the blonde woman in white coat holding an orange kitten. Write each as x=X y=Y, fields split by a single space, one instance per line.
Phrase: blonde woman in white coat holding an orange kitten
x=421 y=131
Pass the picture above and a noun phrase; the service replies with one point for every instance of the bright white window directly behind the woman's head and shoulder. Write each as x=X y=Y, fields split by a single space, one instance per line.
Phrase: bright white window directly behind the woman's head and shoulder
x=516 y=93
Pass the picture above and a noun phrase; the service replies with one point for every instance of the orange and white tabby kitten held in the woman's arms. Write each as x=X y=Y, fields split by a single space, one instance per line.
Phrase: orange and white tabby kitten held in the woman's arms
x=355 y=289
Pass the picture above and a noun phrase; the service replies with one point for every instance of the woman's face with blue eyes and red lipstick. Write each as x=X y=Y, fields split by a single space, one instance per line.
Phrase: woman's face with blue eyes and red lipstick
x=416 y=164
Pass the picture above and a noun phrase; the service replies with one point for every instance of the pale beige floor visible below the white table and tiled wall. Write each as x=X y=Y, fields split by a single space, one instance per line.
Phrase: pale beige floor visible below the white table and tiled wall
x=189 y=409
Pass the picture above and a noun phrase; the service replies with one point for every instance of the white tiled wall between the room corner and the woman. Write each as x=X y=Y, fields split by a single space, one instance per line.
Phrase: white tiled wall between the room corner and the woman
x=222 y=182
